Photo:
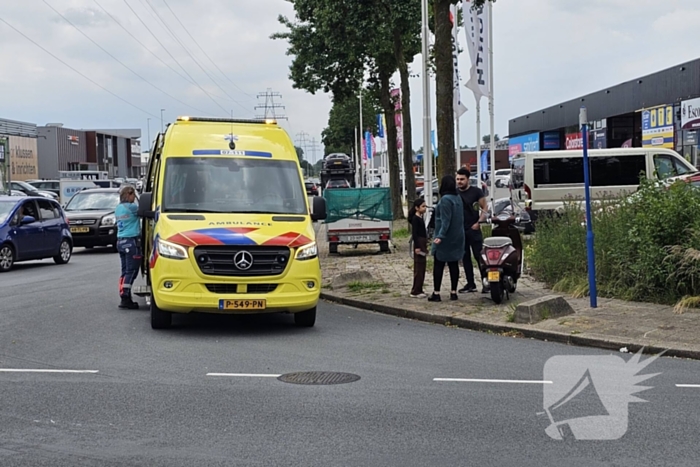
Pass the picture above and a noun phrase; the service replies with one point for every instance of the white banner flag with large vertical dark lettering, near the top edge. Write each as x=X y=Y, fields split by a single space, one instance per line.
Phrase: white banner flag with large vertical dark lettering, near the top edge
x=476 y=27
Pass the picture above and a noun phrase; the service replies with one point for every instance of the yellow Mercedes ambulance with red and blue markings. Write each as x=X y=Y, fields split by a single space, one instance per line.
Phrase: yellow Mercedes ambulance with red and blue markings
x=227 y=225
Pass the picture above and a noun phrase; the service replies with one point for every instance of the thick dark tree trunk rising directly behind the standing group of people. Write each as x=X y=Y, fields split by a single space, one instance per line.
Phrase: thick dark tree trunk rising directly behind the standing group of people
x=444 y=85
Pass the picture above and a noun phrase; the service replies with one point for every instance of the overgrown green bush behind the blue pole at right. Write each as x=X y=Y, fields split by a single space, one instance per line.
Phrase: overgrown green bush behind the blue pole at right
x=647 y=245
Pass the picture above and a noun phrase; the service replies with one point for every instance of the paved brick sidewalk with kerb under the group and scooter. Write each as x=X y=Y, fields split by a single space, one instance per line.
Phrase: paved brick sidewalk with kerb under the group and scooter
x=614 y=324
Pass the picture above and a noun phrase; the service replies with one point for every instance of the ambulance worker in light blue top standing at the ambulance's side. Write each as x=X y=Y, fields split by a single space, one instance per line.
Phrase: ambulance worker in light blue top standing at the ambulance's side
x=128 y=244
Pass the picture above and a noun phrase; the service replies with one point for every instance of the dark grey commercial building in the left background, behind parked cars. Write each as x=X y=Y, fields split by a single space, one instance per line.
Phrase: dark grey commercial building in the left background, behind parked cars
x=62 y=149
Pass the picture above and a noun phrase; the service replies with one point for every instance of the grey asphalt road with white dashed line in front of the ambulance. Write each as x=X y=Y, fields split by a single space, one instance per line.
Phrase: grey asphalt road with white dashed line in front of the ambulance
x=152 y=403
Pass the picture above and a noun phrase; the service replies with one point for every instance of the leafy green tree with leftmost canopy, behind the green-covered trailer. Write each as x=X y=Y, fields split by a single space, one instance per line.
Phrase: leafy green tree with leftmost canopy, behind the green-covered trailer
x=336 y=43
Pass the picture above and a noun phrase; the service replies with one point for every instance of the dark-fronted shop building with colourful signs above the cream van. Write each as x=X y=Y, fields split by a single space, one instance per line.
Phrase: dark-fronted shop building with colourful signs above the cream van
x=658 y=110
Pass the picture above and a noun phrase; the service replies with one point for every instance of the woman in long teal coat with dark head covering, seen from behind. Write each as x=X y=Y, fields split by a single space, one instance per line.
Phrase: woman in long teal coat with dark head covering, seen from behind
x=449 y=237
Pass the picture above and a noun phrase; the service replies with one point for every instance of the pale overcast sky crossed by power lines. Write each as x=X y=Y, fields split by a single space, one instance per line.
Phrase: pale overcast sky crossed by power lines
x=545 y=52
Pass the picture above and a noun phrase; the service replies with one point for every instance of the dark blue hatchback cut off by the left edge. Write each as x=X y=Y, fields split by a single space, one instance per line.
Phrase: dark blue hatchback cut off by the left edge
x=33 y=228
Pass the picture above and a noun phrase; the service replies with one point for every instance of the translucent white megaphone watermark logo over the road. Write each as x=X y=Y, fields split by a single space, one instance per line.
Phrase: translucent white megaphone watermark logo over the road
x=589 y=396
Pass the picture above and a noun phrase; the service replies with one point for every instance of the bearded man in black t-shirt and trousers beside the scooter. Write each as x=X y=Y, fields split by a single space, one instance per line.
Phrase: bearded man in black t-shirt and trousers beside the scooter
x=474 y=203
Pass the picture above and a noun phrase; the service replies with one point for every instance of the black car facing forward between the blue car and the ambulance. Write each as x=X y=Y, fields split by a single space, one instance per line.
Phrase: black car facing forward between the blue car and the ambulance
x=91 y=217
